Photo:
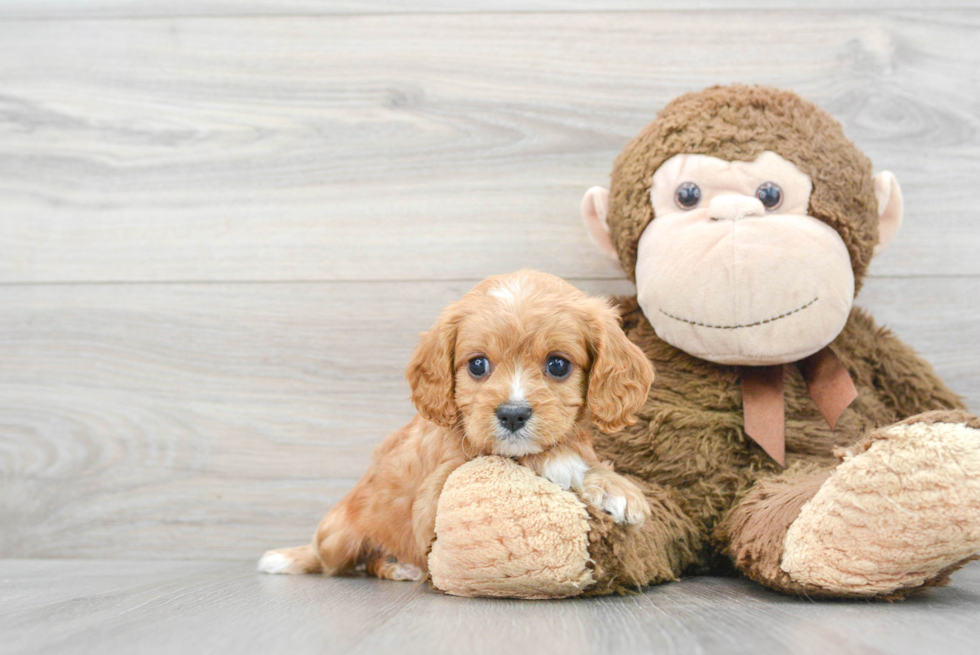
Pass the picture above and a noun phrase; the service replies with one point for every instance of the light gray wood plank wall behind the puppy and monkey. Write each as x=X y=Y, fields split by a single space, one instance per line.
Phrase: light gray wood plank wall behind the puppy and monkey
x=223 y=224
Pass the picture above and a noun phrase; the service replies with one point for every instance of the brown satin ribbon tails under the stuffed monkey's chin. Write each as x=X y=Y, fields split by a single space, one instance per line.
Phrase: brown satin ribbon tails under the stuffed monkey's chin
x=763 y=404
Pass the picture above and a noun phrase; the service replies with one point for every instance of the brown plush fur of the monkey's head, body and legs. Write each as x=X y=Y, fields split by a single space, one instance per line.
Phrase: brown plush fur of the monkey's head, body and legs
x=713 y=491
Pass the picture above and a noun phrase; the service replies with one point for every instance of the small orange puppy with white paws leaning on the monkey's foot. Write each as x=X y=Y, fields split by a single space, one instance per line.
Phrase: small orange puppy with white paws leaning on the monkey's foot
x=515 y=368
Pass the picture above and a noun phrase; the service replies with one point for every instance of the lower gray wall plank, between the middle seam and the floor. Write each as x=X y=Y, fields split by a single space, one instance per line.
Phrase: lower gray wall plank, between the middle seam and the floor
x=217 y=420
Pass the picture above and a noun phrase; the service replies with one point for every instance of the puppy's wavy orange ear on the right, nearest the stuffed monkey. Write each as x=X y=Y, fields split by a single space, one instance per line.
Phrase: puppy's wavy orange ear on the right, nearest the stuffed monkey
x=621 y=374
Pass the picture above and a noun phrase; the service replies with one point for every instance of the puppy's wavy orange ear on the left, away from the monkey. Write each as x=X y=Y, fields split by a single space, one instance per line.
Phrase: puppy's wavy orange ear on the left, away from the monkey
x=431 y=373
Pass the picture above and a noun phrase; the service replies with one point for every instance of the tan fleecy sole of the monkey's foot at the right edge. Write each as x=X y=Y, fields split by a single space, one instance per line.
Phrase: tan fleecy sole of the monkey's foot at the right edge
x=899 y=509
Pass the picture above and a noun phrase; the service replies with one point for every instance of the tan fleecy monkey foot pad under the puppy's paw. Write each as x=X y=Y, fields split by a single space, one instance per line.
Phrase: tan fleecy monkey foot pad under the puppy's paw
x=503 y=531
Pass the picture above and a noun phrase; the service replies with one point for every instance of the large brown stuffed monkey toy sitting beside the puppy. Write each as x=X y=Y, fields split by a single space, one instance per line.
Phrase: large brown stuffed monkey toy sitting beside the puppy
x=786 y=435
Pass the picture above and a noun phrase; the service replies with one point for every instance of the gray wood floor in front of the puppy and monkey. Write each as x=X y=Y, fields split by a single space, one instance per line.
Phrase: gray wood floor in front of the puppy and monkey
x=67 y=607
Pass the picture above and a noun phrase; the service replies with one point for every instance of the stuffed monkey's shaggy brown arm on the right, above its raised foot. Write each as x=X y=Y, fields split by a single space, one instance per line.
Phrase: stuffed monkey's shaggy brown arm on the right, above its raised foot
x=904 y=380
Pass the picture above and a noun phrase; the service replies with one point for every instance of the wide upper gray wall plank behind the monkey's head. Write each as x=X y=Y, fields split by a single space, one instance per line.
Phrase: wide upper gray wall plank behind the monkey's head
x=424 y=146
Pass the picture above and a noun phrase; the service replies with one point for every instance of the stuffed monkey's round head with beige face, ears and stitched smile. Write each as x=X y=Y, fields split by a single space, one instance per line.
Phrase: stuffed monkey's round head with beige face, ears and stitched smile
x=747 y=220
